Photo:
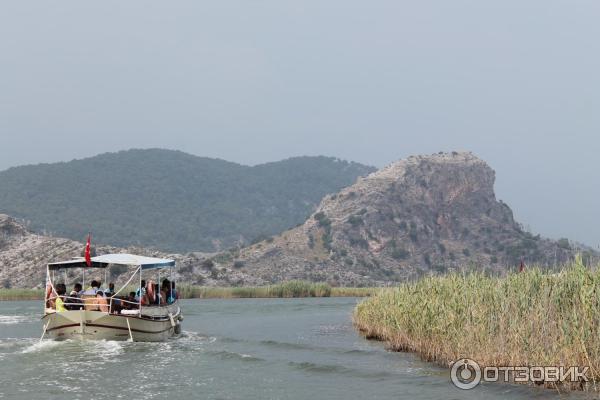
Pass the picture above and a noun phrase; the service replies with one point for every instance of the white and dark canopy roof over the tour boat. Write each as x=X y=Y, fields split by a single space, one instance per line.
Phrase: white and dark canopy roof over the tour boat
x=116 y=259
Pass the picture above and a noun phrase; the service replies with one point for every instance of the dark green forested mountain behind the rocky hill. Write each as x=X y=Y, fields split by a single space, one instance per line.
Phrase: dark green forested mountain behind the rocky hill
x=170 y=200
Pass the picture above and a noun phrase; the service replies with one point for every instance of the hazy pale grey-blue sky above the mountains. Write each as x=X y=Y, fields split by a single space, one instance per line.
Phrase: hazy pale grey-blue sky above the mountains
x=515 y=81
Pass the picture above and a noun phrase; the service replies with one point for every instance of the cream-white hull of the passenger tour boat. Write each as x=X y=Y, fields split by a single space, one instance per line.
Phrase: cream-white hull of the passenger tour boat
x=154 y=325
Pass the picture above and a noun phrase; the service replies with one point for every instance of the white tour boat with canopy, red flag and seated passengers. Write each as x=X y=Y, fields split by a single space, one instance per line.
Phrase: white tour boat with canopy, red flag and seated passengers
x=94 y=315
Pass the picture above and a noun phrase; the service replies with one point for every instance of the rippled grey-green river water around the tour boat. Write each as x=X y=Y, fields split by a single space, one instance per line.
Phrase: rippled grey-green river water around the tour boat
x=231 y=349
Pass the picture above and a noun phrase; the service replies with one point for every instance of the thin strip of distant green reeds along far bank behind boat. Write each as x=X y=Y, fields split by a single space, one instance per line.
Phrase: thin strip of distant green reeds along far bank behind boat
x=283 y=290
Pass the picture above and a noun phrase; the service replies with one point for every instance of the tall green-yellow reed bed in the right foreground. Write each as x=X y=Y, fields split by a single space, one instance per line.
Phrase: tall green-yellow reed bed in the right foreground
x=529 y=318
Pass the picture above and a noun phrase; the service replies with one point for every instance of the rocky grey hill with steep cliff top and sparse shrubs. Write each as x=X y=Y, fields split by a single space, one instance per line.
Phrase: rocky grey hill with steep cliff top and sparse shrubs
x=424 y=213
